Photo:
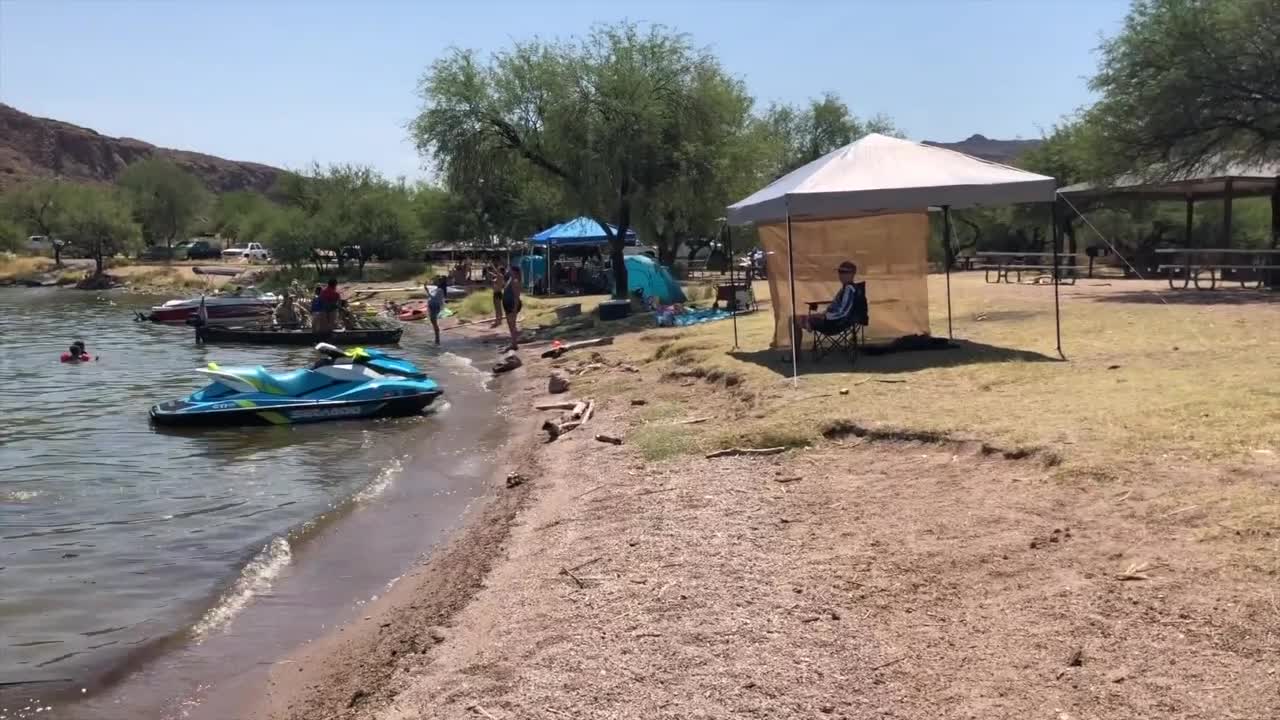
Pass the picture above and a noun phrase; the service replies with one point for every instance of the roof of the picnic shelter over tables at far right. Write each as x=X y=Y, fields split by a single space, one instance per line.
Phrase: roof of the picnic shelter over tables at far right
x=1209 y=183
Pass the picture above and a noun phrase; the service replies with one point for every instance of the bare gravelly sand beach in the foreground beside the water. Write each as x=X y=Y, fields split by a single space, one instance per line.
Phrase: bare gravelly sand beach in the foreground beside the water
x=866 y=576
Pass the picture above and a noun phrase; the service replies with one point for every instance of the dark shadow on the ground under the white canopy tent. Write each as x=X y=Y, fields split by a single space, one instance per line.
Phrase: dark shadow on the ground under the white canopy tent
x=954 y=354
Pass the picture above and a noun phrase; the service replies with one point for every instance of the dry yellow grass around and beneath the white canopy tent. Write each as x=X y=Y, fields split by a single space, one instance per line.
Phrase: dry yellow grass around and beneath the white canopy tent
x=1194 y=380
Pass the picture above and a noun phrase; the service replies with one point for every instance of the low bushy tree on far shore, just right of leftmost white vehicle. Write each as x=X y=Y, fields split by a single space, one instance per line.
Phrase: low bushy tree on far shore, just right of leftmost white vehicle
x=99 y=224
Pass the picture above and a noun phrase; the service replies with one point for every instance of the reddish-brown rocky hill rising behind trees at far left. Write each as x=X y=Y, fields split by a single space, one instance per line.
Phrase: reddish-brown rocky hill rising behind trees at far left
x=35 y=148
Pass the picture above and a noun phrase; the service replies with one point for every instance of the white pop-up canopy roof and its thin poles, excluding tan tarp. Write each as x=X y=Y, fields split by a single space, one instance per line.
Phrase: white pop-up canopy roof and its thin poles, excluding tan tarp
x=883 y=176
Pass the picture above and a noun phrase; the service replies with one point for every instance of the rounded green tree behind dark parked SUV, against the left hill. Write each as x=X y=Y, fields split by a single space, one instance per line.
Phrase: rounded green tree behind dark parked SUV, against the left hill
x=167 y=200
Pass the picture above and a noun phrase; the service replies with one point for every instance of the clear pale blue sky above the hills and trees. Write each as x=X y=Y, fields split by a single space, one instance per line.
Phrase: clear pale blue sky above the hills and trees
x=287 y=83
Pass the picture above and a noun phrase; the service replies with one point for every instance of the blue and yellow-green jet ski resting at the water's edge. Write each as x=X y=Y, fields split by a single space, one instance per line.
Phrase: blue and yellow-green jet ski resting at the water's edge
x=356 y=384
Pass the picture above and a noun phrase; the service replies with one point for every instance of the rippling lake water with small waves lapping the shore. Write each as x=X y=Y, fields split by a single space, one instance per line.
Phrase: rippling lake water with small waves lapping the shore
x=122 y=544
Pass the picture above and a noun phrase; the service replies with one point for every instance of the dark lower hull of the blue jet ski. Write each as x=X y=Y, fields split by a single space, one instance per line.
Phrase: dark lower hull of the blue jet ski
x=181 y=413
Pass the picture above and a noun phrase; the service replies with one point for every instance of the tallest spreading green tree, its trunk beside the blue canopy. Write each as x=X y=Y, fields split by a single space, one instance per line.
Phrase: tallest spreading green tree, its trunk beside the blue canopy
x=604 y=117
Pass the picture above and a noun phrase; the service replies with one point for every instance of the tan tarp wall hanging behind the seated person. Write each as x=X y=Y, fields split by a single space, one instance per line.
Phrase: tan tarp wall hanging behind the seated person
x=892 y=256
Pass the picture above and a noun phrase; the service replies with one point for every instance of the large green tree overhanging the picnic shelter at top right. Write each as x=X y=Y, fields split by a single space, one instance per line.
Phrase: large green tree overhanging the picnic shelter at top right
x=1188 y=85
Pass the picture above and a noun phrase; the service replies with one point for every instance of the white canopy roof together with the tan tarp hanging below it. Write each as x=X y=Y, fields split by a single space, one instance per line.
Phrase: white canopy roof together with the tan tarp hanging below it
x=867 y=203
